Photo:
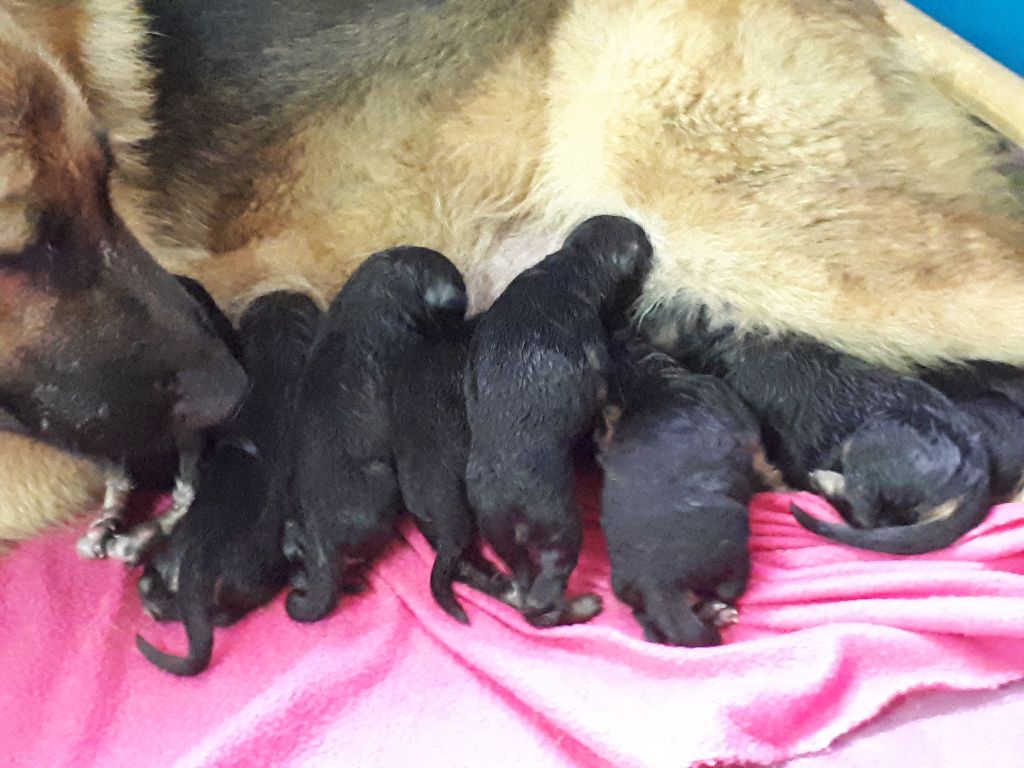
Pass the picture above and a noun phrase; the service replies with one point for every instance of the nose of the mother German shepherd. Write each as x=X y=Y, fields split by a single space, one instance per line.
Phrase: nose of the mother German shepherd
x=209 y=396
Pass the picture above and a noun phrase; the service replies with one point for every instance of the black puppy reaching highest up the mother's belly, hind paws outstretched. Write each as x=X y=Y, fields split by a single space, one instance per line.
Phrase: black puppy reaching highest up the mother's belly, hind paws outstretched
x=535 y=381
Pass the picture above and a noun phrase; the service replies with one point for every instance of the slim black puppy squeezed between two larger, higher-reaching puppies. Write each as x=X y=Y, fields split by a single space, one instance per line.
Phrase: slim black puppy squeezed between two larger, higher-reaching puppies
x=432 y=441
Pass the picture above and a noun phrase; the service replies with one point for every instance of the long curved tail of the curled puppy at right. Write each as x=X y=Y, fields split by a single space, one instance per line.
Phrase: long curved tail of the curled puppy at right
x=949 y=523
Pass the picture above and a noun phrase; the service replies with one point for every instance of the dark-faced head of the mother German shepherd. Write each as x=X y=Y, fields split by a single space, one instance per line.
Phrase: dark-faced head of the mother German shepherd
x=101 y=351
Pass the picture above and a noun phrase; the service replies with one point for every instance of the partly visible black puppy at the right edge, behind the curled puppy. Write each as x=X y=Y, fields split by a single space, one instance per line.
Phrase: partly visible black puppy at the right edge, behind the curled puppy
x=994 y=395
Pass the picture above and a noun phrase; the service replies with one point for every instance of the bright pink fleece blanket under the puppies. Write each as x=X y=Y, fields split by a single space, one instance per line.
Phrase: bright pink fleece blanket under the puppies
x=829 y=636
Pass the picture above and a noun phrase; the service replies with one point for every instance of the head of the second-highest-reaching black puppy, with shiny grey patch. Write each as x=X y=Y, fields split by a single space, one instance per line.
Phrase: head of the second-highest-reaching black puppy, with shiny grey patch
x=425 y=285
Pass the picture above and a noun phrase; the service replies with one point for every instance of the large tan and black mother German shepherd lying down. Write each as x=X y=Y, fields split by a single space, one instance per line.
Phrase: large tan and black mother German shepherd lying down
x=794 y=163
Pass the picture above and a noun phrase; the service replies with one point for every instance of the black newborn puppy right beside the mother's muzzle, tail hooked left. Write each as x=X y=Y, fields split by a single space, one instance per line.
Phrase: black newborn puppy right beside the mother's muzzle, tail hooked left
x=225 y=558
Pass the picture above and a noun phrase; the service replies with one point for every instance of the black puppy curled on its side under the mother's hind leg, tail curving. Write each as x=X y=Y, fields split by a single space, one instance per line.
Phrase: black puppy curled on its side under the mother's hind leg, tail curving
x=895 y=456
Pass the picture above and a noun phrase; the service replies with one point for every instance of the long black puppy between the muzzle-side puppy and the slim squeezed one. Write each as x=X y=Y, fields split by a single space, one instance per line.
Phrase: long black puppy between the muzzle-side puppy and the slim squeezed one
x=345 y=486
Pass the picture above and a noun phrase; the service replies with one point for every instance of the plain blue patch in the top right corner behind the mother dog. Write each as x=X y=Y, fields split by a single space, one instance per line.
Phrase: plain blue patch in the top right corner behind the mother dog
x=996 y=27
